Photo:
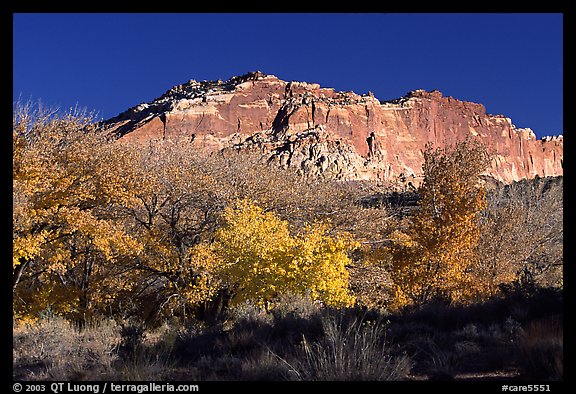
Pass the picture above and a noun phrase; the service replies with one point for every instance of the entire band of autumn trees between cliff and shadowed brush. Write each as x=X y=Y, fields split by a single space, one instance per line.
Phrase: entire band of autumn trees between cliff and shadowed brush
x=105 y=228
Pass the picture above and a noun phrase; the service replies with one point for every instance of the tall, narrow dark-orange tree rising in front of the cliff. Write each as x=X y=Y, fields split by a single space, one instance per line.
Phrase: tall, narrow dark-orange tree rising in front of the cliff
x=436 y=255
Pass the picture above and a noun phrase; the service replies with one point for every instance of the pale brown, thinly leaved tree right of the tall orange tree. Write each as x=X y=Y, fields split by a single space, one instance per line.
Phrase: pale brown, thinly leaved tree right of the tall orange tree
x=522 y=233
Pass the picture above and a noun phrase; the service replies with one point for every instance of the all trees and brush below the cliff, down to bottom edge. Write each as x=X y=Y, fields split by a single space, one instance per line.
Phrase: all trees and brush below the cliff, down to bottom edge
x=165 y=262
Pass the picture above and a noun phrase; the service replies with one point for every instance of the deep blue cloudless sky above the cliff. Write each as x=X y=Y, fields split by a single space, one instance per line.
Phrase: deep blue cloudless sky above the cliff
x=511 y=63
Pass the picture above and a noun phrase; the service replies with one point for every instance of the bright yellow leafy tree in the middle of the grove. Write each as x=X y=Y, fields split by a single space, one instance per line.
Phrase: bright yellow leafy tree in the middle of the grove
x=262 y=260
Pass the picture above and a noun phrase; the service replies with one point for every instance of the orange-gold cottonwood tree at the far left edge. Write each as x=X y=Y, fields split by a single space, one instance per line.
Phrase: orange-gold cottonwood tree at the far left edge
x=66 y=182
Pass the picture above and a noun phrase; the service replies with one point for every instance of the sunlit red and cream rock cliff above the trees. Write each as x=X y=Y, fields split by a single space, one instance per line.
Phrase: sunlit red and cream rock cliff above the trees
x=340 y=134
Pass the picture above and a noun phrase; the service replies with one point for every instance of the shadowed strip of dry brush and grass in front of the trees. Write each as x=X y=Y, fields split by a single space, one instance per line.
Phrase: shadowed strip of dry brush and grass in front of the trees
x=516 y=337
